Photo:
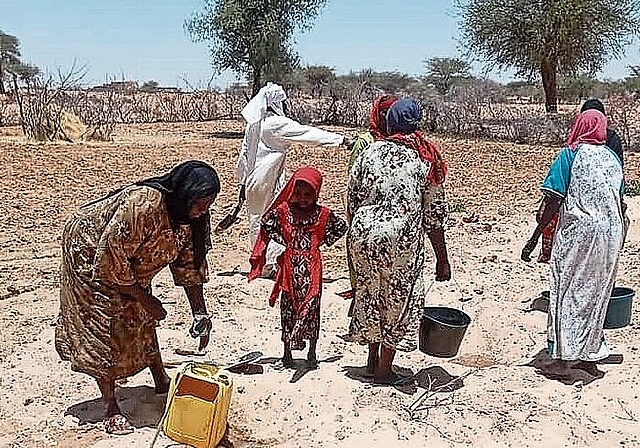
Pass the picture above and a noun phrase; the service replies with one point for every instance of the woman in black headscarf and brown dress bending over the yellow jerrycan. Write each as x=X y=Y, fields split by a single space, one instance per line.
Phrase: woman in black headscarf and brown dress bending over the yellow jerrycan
x=111 y=250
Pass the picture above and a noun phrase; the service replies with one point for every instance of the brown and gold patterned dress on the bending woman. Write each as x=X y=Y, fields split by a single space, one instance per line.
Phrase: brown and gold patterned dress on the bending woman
x=121 y=240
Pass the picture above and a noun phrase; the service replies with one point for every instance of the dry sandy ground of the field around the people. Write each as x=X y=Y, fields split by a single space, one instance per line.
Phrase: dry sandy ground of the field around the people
x=500 y=400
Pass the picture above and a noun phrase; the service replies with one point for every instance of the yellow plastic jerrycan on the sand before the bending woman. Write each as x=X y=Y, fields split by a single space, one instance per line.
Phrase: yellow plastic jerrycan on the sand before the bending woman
x=198 y=404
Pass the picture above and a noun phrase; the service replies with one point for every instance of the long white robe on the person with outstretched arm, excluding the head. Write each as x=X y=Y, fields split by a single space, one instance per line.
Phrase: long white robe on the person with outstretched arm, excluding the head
x=261 y=165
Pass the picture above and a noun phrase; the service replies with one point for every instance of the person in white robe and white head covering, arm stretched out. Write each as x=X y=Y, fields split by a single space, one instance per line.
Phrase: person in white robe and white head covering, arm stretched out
x=261 y=162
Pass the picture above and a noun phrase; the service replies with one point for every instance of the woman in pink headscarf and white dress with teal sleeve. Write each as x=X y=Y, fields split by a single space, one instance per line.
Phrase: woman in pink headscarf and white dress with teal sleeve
x=584 y=186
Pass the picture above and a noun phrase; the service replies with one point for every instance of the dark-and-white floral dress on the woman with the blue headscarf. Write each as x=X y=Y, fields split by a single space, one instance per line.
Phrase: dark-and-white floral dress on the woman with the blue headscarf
x=392 y=207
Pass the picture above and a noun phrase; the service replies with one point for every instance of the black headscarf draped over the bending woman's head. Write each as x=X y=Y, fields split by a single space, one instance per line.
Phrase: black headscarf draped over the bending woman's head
x=184 y=184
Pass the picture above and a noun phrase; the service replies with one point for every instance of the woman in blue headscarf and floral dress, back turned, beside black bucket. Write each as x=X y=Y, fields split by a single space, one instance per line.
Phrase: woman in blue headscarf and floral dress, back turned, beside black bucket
x=395 y=198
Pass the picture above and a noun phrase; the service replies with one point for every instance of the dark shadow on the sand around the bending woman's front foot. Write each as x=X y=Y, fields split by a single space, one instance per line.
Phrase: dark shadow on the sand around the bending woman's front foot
x=140 y=404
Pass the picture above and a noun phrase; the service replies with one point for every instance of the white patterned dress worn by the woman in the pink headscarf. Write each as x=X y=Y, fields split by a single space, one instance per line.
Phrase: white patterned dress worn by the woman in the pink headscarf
x=585 y=253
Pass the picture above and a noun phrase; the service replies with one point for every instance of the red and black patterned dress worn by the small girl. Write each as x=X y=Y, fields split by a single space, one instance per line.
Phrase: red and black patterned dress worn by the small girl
x=300 y=314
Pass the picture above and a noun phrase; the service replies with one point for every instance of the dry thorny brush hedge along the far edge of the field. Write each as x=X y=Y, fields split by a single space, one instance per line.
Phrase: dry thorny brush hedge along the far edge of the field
x=477 y=112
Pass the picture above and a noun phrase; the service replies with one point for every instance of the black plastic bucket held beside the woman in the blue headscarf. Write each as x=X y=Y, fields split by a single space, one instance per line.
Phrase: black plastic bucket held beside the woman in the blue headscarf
x=442 y=330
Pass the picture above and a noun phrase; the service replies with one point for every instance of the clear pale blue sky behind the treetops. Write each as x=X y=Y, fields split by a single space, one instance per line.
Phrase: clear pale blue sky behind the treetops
x=145 y=40
